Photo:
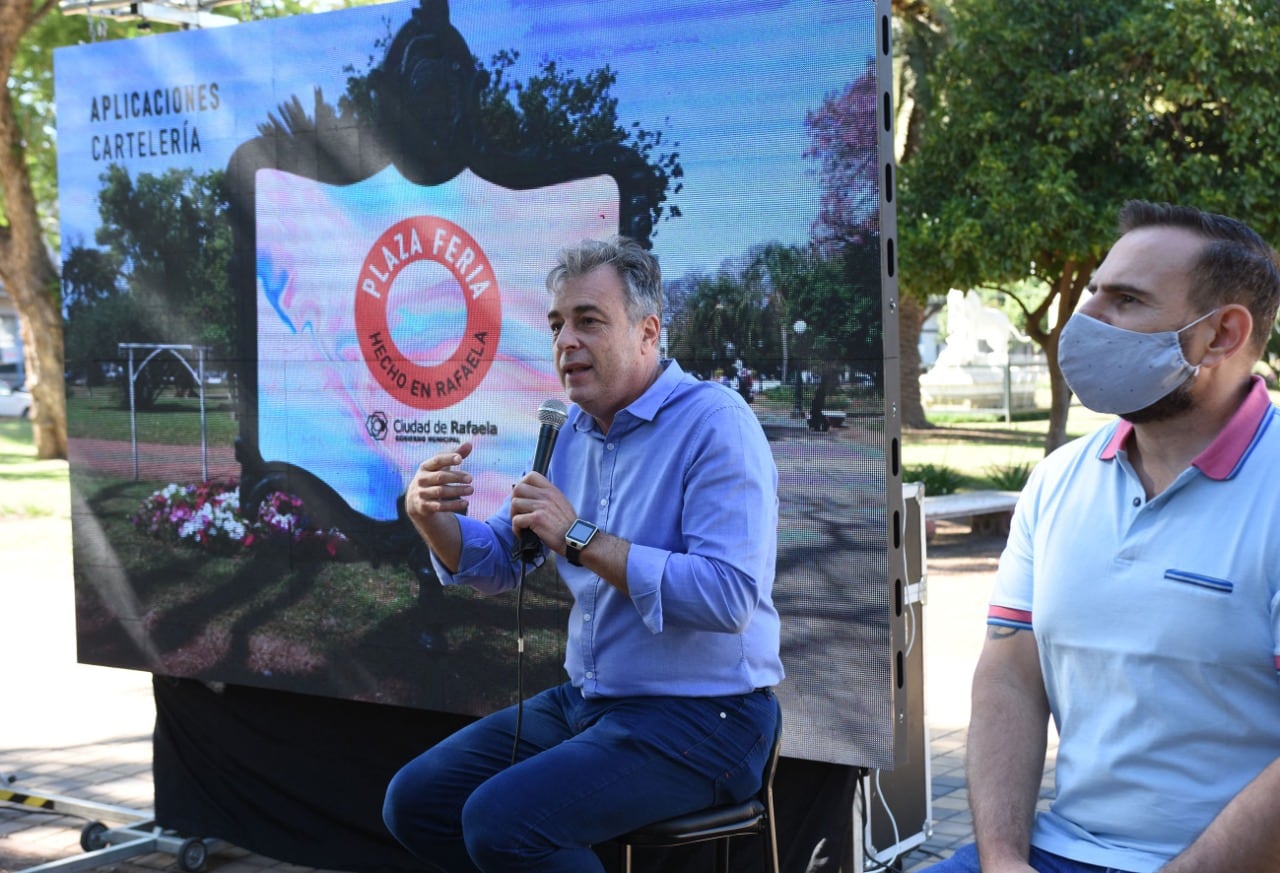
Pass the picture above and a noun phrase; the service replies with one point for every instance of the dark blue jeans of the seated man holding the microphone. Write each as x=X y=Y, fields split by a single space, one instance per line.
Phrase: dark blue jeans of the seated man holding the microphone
x=588 y=771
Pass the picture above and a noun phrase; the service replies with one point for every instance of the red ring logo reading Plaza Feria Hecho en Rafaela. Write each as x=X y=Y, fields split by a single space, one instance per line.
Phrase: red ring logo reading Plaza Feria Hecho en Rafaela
x=428 y=239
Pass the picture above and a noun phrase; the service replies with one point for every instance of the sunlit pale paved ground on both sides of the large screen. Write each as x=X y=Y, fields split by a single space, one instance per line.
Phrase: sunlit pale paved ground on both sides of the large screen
x=84 y=733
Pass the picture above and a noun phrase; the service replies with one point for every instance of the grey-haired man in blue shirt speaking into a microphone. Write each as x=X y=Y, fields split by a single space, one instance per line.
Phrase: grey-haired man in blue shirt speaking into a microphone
x=660 y=508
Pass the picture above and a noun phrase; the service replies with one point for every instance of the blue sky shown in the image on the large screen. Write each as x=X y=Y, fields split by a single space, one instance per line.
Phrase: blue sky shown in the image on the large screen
x=729 y=81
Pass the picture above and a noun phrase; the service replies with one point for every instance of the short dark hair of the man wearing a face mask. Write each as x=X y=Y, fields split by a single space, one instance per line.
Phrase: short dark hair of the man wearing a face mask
x=1237 y=266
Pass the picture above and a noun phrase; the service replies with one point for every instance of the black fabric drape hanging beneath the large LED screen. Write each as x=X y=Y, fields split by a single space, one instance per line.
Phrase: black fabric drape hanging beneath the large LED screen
x=301 y=779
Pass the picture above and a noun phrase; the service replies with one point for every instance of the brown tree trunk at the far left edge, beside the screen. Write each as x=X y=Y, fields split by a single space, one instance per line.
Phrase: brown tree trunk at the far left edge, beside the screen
x=26 y=268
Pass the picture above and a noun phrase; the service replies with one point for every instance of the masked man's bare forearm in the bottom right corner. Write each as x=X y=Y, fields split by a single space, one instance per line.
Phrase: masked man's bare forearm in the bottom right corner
x=1245 y=838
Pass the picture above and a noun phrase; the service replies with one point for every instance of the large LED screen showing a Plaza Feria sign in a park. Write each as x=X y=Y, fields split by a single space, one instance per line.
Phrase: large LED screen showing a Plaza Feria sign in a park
x=303 y=255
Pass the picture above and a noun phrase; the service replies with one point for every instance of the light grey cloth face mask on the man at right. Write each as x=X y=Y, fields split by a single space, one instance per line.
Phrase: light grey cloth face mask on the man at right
x=1118 y=372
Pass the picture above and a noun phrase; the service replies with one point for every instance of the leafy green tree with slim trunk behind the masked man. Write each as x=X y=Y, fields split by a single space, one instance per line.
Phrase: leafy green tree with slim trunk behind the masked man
x=1050 y=115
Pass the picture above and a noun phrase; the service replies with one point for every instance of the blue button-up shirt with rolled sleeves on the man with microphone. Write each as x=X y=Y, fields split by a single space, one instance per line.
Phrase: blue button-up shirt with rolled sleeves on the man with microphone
x=687 y=477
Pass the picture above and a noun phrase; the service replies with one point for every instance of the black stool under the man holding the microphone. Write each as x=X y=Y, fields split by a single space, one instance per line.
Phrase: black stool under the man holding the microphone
x=719 y=824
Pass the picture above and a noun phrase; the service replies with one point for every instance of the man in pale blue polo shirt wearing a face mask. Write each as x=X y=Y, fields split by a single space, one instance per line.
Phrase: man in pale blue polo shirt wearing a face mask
x=1139 y=598
